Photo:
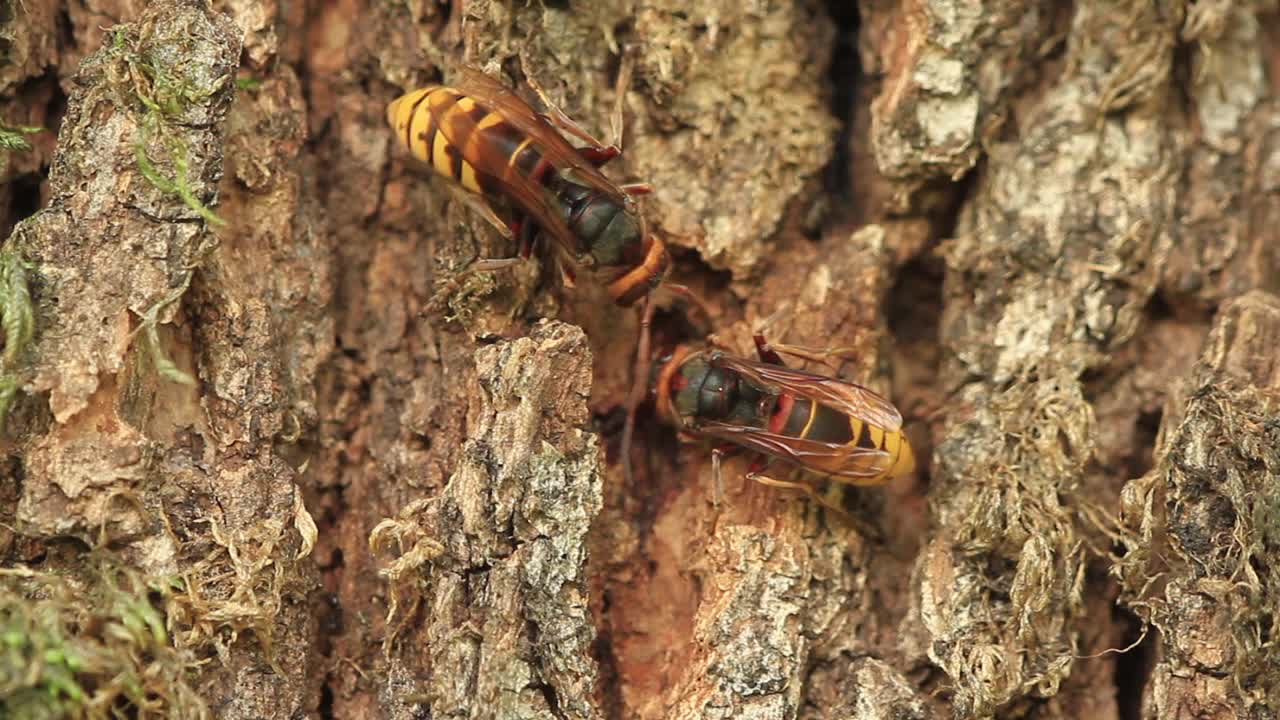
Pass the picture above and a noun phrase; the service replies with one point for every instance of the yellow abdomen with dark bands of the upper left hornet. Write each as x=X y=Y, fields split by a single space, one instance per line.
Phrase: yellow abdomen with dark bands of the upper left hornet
x=456 y=135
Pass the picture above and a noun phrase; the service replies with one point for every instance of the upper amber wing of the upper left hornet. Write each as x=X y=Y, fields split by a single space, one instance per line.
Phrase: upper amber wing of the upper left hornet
x=557 y=151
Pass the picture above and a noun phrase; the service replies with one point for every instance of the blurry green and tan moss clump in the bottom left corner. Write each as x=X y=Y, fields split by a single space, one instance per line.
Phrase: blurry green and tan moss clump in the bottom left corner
x=92 y=646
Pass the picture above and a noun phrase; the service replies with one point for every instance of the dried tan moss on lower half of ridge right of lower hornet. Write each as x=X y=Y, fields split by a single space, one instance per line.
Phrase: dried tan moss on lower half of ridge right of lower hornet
x=1005 y=630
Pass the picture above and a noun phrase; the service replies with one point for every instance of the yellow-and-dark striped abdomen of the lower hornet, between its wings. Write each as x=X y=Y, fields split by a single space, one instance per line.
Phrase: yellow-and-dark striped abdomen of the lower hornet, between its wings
x=803 y=418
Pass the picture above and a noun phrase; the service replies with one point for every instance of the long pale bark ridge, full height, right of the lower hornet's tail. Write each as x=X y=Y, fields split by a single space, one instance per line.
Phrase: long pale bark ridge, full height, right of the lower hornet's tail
x=1043 y=288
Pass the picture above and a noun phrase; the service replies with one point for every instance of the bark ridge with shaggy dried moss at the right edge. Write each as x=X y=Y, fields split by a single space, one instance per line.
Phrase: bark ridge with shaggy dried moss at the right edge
x=1203 y=526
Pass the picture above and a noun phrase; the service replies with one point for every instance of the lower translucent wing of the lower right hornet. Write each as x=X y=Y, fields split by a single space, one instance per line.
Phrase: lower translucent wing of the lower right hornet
x=848 y=463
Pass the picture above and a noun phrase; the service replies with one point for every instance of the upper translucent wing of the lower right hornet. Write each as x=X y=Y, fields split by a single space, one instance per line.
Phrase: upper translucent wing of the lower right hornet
x=847 y=398
